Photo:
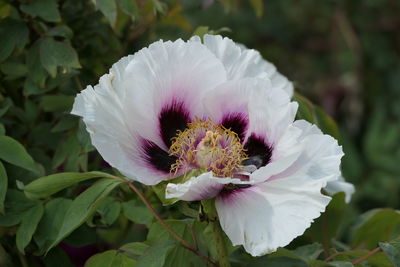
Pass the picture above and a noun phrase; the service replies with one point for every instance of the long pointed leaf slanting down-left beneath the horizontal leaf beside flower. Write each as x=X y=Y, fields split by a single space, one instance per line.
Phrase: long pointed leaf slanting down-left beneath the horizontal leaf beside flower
x=84 y=206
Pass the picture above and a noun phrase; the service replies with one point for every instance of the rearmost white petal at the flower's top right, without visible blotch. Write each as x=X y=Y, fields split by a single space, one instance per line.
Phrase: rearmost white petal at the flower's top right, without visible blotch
x=241 y=62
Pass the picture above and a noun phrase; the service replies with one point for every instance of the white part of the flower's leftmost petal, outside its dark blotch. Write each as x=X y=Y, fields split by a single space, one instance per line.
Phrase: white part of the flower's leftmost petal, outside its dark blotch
x=101 y=112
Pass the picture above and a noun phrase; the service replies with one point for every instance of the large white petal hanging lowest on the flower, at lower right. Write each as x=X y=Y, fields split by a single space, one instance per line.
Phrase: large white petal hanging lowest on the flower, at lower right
x=269 y=215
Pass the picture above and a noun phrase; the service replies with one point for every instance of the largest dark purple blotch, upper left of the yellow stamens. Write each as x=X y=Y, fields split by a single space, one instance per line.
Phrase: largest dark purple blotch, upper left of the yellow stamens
x=173 y=117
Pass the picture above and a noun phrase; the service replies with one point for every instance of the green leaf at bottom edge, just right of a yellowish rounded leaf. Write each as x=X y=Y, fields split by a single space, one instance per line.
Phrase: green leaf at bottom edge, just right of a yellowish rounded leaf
x=156 y=255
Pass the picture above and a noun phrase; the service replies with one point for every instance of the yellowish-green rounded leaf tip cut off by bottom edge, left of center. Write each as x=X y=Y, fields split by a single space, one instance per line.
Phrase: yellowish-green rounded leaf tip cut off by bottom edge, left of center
x=110 y=258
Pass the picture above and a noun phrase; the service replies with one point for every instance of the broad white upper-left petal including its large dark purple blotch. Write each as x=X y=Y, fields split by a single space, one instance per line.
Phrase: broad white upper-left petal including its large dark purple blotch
x=165 y=84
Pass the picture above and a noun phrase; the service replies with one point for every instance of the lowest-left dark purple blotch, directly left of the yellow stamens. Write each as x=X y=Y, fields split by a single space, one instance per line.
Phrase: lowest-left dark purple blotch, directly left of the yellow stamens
x=157 y=157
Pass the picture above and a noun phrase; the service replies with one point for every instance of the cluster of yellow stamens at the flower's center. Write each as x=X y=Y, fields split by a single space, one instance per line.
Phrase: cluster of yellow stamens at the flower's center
x=205 y=145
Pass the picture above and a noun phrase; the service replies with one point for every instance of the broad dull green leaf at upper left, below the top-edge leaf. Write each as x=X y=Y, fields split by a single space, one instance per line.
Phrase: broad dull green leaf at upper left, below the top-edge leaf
x=55 y=54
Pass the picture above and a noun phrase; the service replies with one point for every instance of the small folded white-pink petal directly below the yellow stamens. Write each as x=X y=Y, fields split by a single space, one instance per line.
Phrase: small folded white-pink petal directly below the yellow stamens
x=204 y=186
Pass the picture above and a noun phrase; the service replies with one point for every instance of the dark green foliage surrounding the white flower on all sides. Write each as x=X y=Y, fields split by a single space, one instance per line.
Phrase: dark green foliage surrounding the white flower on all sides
x=341 y=54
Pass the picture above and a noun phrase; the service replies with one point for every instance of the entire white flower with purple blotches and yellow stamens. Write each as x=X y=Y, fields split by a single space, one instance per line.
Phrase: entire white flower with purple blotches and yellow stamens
x=220 y=109
